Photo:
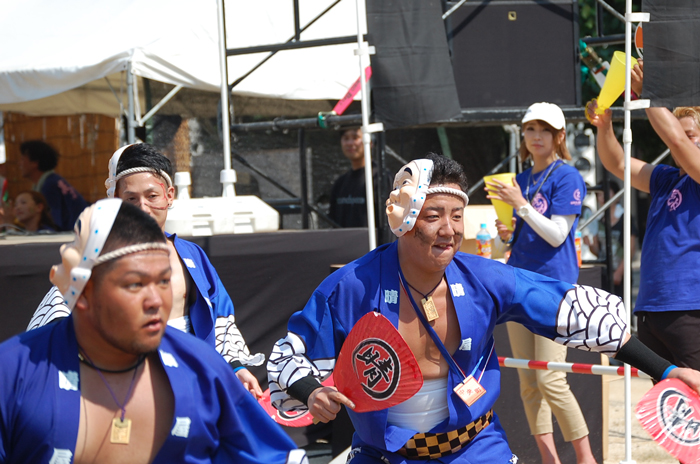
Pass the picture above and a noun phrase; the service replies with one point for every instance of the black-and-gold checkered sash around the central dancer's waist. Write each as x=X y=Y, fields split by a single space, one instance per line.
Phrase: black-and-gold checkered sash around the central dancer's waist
x=437 y=445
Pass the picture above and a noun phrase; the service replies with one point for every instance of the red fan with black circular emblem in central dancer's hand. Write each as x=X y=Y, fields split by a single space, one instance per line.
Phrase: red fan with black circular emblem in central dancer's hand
x=375 y=368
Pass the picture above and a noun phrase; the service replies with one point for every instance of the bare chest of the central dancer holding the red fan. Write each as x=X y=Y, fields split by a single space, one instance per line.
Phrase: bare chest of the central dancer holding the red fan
x=427 y=354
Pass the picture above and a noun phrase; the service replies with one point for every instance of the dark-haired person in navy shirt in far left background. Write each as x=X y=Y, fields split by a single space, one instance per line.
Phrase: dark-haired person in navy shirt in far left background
x=37 y=163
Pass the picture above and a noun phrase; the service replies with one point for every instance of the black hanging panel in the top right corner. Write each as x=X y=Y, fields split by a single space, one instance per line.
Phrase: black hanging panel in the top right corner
x=672 y=53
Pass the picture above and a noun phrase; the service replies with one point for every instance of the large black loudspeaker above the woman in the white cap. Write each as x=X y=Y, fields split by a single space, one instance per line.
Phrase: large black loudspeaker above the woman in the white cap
x=514 y=53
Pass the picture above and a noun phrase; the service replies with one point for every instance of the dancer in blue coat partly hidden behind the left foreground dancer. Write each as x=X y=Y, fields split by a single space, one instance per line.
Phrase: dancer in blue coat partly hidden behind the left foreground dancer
x=140 y=175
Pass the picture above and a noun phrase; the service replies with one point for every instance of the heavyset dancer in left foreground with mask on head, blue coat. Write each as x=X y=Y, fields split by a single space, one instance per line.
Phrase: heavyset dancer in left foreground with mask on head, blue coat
x=109 y=383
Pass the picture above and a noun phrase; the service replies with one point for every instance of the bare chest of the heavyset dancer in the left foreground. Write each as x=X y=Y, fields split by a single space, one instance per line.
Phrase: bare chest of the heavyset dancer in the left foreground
x=150 y=416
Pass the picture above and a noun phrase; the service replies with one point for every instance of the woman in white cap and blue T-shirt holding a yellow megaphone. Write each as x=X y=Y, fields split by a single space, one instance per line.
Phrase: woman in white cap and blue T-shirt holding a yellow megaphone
x=547 y=199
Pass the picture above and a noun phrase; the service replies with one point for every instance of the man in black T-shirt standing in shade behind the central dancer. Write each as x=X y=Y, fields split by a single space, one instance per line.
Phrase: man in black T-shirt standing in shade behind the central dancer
x=348 y=200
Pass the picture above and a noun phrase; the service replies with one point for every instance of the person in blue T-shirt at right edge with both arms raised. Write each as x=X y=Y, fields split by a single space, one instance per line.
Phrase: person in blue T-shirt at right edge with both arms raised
x=667 y=309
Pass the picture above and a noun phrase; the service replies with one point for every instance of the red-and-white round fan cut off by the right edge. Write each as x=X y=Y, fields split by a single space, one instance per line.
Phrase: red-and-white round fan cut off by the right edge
x=670 y=412
